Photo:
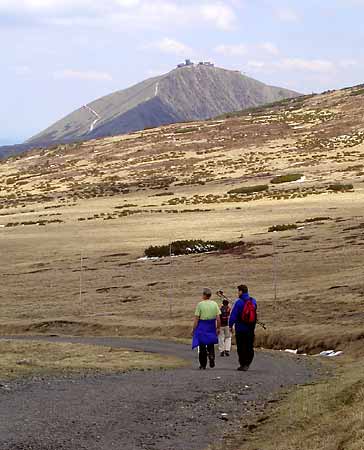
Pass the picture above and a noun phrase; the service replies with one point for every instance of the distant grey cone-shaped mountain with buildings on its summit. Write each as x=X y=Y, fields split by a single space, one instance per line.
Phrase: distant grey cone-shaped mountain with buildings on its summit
x=189 y=93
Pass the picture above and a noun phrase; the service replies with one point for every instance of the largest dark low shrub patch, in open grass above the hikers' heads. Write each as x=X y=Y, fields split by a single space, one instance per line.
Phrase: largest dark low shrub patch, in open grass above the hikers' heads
x=187 y=247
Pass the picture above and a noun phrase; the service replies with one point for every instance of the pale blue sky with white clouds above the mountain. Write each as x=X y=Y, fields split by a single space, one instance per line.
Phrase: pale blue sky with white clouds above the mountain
x=57 y=55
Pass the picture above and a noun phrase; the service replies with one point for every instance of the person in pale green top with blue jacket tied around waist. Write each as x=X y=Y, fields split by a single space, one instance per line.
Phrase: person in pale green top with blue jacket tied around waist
x=206 y=328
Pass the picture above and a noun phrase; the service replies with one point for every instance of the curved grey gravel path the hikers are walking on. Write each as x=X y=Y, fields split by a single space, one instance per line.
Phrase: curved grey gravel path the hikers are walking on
x=163 y=410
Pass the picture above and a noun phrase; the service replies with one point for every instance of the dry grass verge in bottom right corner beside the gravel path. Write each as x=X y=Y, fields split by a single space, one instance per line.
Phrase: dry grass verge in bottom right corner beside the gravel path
x=324 y=416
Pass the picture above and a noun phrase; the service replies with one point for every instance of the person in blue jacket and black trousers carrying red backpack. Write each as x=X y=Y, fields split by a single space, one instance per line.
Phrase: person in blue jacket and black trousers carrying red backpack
x=244 y=318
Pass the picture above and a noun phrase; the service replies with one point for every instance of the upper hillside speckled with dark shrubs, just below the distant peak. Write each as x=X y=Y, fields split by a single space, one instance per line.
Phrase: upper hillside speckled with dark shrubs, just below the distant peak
x=320 y=137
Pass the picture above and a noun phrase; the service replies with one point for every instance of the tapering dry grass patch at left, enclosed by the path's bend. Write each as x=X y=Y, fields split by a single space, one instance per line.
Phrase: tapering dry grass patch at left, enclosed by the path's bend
x=23 y=359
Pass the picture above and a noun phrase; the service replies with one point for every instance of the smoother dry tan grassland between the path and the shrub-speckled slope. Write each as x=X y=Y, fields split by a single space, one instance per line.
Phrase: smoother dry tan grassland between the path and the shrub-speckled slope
x=319 y=274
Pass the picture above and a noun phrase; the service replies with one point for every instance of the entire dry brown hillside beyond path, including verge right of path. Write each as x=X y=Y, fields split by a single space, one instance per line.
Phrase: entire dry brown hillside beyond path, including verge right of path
x=319 y=300
